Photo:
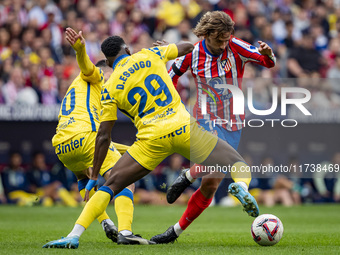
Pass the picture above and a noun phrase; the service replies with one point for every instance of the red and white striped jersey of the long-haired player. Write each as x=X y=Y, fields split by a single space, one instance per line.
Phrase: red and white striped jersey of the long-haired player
x=209 y=70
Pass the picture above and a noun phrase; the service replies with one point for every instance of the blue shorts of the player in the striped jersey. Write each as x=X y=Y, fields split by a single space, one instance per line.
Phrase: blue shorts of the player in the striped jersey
x=231 y=137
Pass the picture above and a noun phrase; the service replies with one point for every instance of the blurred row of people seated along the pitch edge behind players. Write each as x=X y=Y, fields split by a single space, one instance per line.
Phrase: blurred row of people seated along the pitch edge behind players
x=40 y=184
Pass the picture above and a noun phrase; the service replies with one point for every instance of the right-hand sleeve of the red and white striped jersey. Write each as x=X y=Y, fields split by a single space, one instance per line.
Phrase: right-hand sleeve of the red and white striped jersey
x=250 y=53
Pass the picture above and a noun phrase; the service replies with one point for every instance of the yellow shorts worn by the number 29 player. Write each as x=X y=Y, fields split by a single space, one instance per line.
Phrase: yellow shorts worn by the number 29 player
x=191 y=141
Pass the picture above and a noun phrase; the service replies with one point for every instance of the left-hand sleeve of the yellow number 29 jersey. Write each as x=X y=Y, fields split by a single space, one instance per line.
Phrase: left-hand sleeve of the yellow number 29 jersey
x=109 y=106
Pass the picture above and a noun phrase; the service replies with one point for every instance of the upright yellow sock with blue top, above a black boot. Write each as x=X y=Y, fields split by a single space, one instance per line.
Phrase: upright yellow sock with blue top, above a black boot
x=124 y=209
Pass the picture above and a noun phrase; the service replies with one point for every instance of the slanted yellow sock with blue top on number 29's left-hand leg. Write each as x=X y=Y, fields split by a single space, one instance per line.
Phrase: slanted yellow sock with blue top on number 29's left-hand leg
x=95 y=206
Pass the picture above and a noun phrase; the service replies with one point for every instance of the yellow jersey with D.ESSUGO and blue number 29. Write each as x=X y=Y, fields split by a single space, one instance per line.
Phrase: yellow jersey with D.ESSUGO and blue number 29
x=141 y=88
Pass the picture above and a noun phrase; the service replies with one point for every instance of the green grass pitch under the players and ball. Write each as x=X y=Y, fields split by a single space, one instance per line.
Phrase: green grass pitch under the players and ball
x=309 y=229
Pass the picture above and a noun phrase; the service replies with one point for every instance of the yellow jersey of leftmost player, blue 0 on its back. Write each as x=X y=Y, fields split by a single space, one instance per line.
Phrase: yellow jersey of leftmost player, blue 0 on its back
x=80 y=108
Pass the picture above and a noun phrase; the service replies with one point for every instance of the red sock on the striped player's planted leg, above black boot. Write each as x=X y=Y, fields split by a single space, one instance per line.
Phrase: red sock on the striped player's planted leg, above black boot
x=196 y=205
